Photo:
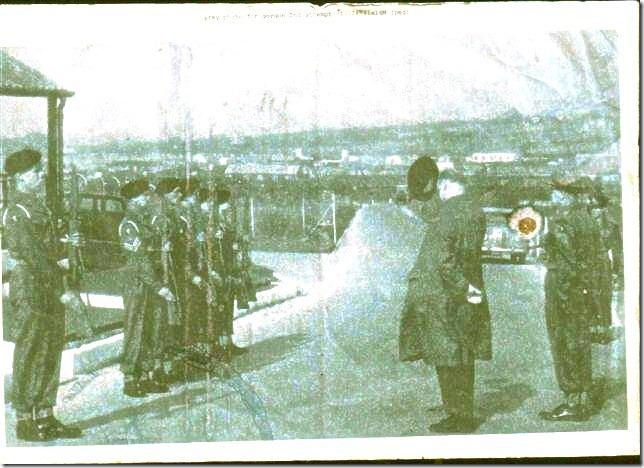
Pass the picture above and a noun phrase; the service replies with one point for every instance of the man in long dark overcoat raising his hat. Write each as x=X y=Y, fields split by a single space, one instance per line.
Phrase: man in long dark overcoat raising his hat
x=446 y=300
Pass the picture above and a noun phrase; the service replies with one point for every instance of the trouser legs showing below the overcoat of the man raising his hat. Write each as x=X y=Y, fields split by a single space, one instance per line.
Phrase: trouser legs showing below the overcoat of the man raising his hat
x=457 y=389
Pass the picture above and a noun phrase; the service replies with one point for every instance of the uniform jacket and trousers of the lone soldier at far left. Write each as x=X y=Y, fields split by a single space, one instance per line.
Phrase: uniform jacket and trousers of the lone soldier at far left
x=38 y=316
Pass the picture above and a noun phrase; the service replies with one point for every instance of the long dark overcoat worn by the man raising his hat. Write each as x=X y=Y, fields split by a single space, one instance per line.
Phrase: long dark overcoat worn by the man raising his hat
x=438 y=325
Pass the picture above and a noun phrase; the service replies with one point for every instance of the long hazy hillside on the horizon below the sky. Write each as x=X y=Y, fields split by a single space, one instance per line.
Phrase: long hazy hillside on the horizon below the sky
x=553 y=135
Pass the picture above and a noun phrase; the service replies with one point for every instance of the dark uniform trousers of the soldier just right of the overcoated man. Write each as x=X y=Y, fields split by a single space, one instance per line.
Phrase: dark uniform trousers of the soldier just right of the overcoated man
x=568 y=319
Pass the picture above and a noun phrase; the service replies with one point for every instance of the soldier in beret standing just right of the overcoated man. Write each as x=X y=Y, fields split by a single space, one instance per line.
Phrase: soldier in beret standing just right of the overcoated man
x=572 y=254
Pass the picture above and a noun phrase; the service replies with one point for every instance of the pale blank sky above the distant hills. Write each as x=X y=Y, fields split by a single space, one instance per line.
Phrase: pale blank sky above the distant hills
x=301 y=75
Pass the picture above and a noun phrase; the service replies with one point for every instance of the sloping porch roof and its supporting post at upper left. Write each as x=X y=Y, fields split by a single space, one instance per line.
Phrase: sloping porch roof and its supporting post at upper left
x=20 y=80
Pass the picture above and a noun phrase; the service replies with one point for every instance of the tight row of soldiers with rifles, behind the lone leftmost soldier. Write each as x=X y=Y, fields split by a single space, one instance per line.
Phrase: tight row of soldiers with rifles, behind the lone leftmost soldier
x=187 y=266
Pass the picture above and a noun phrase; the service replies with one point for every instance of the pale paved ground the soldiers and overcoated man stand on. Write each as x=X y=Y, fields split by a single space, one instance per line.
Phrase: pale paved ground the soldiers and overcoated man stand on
x=325 y=365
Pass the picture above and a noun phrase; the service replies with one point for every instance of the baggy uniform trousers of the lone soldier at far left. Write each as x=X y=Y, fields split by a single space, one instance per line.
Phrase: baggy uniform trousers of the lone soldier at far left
x=39 y=340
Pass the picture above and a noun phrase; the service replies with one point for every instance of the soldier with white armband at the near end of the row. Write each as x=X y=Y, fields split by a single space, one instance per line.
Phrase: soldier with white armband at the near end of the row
x=145 y=295
